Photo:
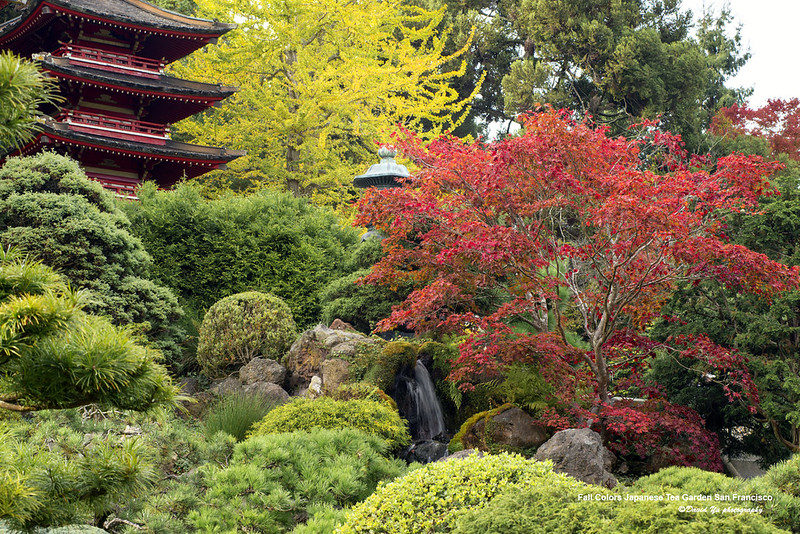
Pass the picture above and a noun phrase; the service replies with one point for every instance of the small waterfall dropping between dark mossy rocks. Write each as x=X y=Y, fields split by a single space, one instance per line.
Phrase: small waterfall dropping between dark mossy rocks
x=416 y=399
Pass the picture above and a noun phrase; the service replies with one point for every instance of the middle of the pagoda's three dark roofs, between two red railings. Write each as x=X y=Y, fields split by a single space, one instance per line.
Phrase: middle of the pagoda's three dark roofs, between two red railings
x=163 y=85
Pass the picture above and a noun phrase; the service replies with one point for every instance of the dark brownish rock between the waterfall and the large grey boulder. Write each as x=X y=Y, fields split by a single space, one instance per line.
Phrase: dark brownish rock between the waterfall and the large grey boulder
x=511 y=429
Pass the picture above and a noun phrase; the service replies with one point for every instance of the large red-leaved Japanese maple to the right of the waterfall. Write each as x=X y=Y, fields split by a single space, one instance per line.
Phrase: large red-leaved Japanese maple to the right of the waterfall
x=520 y=244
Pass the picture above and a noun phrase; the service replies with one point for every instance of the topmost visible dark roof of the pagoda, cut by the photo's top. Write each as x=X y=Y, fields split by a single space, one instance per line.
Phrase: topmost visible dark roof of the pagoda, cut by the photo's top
x=133 y=13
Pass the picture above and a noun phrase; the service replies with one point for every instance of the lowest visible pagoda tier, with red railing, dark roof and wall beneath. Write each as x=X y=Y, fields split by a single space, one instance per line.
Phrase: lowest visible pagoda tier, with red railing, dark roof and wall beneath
x=122 y=153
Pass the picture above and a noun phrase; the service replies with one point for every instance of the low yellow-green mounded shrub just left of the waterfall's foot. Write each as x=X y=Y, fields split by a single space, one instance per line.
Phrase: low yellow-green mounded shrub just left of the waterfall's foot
x=372 y=417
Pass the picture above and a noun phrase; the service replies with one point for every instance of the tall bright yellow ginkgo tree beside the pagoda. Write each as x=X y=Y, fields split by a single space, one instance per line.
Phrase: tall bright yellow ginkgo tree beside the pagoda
x=321 y=82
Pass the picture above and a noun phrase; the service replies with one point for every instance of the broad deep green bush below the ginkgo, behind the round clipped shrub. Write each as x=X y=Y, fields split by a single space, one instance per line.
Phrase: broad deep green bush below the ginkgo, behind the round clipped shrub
x=272 y=242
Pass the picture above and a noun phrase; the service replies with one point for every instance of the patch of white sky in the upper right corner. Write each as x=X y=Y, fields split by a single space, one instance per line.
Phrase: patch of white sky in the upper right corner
x=771 y=30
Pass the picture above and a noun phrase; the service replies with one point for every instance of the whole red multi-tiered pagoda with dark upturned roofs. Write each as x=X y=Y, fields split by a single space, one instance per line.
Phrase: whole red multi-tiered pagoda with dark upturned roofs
x=108 y=57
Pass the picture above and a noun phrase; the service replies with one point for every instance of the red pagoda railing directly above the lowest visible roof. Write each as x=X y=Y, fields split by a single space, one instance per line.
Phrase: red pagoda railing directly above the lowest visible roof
x=98 y=124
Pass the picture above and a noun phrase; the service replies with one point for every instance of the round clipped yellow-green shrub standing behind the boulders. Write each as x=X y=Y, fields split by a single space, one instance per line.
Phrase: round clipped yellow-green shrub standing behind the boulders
x=241 y=327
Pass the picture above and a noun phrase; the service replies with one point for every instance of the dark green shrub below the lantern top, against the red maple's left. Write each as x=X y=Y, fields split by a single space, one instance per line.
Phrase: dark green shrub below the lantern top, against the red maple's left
x=361 y=305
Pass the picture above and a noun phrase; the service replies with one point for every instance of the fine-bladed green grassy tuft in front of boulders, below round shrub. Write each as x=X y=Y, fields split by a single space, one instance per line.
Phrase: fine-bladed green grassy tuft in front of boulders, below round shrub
x=236 y=413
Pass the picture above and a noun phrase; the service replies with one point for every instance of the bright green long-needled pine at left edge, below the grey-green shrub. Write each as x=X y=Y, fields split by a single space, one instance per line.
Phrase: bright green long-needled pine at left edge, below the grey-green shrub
x=54 y=355
